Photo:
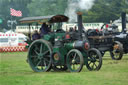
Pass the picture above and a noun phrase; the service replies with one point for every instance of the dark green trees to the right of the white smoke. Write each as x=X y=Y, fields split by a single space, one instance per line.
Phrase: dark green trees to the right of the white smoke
x=106 y=10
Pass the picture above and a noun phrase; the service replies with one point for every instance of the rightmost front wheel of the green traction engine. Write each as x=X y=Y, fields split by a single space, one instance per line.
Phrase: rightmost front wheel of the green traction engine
x=94 y=59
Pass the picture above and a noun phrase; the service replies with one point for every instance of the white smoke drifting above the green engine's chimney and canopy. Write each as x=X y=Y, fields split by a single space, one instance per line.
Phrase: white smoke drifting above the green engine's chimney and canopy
x=73 y=6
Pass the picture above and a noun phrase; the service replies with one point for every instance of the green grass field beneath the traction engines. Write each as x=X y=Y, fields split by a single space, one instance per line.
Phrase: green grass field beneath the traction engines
x=15 y=71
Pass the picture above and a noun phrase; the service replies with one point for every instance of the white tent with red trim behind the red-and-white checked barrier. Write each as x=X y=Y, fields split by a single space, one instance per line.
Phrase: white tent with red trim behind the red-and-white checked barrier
x=11 y=38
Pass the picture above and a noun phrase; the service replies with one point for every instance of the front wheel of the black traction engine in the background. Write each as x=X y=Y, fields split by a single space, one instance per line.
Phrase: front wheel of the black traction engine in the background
x=117 y=51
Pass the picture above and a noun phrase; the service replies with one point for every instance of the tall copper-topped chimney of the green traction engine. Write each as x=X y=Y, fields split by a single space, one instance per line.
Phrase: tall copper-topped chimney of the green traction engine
x=79 y=21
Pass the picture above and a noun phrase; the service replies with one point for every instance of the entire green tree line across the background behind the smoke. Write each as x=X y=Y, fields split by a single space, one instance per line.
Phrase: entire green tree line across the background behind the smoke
x=101 y=11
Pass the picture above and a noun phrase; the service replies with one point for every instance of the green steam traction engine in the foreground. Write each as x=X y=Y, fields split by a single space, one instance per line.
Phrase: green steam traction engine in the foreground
x=61 y=51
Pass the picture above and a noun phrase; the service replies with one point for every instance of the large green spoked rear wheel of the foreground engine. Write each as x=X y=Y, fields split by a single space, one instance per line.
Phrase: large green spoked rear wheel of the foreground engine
x=39 y=55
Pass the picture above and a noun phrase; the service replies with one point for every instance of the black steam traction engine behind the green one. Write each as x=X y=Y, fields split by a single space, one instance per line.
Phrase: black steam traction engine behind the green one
x=110 y=39
